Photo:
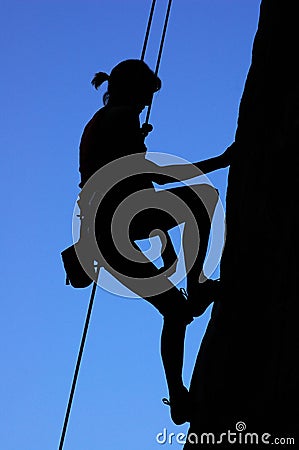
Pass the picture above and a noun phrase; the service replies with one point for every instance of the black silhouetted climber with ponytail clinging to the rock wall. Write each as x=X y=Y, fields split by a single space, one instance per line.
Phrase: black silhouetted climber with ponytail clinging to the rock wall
x=113 y=133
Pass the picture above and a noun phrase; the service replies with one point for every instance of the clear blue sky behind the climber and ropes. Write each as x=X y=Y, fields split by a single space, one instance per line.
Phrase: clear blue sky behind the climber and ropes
x=50 y=50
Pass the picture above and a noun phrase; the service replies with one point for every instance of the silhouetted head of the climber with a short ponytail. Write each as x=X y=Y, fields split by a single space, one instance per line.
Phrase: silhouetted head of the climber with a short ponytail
x=131 y=83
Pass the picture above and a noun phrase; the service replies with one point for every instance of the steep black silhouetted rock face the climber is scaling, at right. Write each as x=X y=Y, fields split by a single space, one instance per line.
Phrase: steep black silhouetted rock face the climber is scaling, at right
x=247 y=367
